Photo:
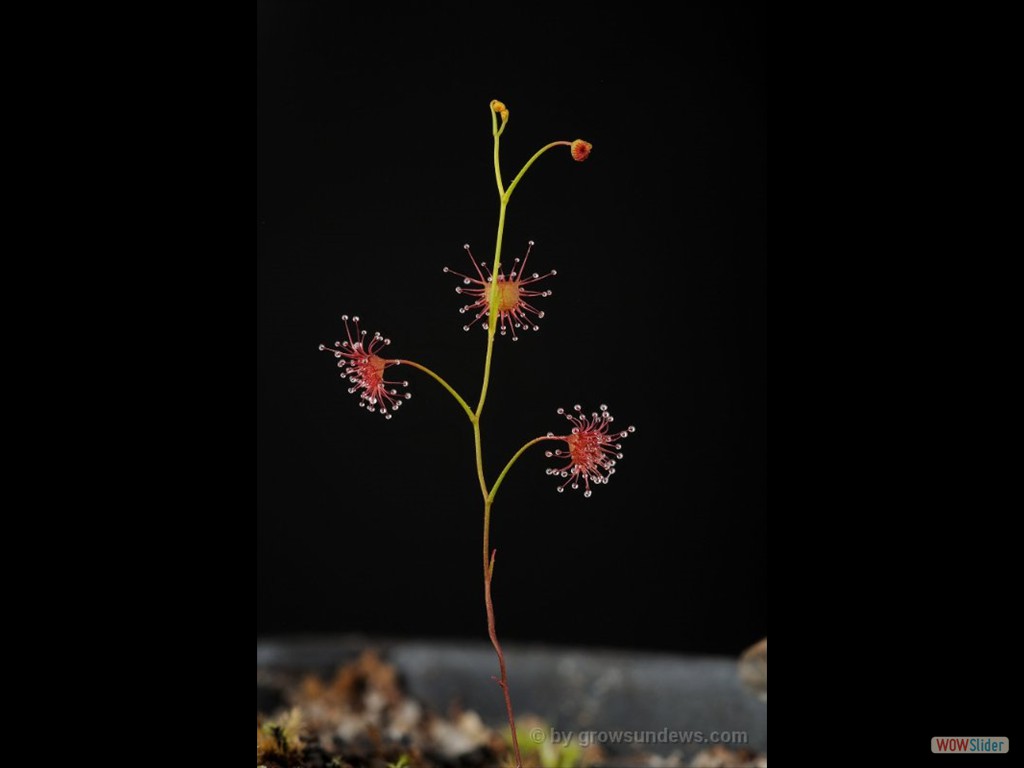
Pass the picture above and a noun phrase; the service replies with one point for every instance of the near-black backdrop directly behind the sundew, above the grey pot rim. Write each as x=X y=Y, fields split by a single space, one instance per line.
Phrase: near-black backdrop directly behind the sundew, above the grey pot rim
x=374 y=167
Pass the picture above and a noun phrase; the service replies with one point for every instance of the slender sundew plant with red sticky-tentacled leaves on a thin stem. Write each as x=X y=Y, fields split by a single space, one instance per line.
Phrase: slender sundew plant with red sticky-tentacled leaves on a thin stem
x=502 y=304
